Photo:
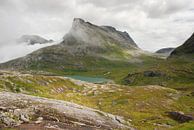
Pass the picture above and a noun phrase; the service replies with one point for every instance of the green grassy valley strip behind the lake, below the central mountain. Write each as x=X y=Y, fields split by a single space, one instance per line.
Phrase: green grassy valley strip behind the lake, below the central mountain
x=96 y=67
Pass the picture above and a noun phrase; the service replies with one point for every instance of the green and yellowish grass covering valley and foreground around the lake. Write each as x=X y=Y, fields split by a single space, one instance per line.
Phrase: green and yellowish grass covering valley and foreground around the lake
x=145 y=106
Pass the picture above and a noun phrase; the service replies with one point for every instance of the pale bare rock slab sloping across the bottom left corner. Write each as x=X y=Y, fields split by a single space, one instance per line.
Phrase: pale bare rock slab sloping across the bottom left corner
x=17 y=109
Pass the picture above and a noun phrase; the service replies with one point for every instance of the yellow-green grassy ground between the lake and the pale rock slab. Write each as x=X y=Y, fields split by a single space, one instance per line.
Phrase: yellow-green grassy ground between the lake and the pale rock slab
x=143 y=106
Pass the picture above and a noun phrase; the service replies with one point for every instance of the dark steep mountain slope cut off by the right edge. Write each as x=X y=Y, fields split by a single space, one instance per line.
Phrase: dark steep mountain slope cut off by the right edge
x=186 y=49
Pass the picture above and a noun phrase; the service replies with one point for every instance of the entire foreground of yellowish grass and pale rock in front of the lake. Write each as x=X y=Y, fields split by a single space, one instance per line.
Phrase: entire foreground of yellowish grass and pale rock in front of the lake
x=145 y=107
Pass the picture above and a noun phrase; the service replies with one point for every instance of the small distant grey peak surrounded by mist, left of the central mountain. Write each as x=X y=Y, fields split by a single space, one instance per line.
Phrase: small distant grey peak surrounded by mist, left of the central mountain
x=33 y=39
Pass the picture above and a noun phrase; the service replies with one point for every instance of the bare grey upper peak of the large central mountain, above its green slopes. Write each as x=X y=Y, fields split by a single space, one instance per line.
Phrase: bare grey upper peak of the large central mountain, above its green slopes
x=99 y=36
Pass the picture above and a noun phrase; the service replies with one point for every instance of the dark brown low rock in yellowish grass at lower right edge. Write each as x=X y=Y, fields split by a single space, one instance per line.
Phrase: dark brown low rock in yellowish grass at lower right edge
x=180 y=117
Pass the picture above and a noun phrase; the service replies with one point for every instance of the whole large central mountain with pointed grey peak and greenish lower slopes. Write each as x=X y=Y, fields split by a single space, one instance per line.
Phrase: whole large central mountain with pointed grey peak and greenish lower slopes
x=86 y=45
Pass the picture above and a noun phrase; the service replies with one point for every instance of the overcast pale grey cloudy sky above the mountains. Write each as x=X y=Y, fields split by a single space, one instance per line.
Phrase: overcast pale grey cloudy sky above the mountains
x=153 y=24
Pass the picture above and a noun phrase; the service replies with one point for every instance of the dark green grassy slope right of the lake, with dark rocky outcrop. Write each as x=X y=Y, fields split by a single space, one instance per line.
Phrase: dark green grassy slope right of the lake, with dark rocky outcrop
x=172 y=73
